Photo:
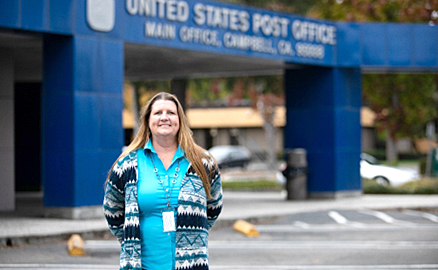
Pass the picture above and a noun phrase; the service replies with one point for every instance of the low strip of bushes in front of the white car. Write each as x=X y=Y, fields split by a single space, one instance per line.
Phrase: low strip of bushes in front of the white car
x=423 y=186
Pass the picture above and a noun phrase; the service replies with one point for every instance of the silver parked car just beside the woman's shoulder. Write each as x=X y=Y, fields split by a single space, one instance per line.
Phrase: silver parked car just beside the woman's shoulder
x=228 y=156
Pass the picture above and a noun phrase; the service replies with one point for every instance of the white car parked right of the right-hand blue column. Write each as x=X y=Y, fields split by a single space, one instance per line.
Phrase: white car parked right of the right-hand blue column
x=370 y=168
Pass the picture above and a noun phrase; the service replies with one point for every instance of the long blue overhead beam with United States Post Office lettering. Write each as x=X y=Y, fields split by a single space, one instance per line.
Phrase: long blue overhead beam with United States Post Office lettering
x=231 y=29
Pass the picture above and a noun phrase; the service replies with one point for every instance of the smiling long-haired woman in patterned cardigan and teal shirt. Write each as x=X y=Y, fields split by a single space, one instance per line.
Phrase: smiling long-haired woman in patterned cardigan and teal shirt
x=164 y=193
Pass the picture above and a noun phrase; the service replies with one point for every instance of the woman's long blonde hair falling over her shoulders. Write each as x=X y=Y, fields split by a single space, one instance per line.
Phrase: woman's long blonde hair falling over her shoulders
x=193 y=152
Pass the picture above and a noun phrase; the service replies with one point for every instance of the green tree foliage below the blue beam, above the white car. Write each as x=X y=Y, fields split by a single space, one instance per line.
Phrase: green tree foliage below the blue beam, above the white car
x=404 y=103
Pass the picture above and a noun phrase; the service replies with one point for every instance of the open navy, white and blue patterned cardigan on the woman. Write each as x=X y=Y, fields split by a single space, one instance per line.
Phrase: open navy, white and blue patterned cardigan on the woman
x=195 y=215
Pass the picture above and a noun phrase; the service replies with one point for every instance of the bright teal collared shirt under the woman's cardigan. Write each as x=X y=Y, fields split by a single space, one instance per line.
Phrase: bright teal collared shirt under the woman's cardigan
x=157 y=247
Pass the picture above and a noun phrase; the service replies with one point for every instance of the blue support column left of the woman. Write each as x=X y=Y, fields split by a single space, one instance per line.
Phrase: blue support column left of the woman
x=81 y=121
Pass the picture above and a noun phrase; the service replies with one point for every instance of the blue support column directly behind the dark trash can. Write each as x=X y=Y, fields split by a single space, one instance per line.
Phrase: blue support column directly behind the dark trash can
x=323 y=116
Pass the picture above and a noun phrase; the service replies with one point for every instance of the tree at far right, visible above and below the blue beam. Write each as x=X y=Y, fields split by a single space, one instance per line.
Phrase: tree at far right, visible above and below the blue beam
x=403 y=103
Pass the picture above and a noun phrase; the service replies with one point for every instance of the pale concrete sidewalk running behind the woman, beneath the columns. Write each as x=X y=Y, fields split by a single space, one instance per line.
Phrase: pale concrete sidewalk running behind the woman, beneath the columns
x=27 y=226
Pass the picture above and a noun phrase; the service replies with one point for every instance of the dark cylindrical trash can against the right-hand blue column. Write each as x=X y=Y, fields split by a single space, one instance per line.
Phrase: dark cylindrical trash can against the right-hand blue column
x=296 y=174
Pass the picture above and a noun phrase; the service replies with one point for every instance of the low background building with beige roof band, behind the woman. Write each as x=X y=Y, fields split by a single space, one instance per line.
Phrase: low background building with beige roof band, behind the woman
x=244 y=126
